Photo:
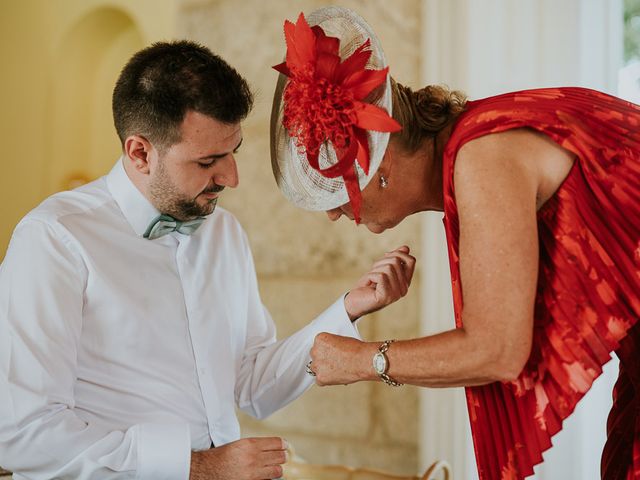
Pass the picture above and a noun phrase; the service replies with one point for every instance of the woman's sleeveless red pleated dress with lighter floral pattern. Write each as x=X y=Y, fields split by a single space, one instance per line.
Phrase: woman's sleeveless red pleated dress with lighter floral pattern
x=588 y=294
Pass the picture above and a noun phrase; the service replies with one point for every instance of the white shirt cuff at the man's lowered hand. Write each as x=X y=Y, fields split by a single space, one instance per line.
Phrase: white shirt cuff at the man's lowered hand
x=164 y=452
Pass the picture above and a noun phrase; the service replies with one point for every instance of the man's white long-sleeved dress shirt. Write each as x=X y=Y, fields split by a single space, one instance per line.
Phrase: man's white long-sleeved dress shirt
x=119 y=355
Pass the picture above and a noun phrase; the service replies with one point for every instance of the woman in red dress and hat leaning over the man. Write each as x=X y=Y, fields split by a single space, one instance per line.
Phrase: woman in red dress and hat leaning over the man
x=541 y=195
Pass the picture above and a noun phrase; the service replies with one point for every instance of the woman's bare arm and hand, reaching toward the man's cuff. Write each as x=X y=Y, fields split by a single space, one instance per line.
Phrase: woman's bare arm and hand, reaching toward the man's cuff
x=496 y=181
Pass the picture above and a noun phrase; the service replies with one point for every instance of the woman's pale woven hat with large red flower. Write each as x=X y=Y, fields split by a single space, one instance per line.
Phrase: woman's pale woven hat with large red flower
x=330 y=122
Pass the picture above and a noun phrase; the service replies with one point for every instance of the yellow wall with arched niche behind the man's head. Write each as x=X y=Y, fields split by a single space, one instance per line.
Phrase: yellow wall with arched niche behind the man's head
x=61 y=60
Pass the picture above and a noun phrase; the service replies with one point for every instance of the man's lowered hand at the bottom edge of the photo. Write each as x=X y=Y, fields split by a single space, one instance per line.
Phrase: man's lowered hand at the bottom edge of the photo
x=245 y=459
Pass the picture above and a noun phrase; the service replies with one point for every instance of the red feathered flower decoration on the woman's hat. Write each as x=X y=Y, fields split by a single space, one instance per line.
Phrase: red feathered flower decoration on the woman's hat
x=323 y=101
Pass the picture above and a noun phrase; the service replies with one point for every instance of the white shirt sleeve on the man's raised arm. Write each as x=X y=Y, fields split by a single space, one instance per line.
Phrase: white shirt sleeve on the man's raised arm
x=273 y=373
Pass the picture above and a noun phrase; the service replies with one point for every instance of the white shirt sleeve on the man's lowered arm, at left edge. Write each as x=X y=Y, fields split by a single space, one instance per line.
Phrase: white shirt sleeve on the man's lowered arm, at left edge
x=42 y=282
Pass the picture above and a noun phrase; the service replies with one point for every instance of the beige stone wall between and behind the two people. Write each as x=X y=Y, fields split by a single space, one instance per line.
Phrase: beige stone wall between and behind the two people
x=304 y=261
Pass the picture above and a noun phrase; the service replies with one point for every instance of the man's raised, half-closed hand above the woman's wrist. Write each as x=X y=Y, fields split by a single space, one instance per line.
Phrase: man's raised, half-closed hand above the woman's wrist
x=387 y=281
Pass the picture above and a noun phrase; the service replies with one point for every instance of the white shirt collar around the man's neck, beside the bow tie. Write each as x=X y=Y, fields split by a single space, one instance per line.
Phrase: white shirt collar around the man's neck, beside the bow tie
x=138 y=211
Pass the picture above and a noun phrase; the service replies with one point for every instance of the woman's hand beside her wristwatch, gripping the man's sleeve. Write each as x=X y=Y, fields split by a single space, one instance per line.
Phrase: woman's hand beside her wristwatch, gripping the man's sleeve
x=338 y=360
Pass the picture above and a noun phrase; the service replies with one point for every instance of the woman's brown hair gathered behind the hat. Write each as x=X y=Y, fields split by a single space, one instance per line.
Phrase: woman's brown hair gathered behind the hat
x=423 y=113
